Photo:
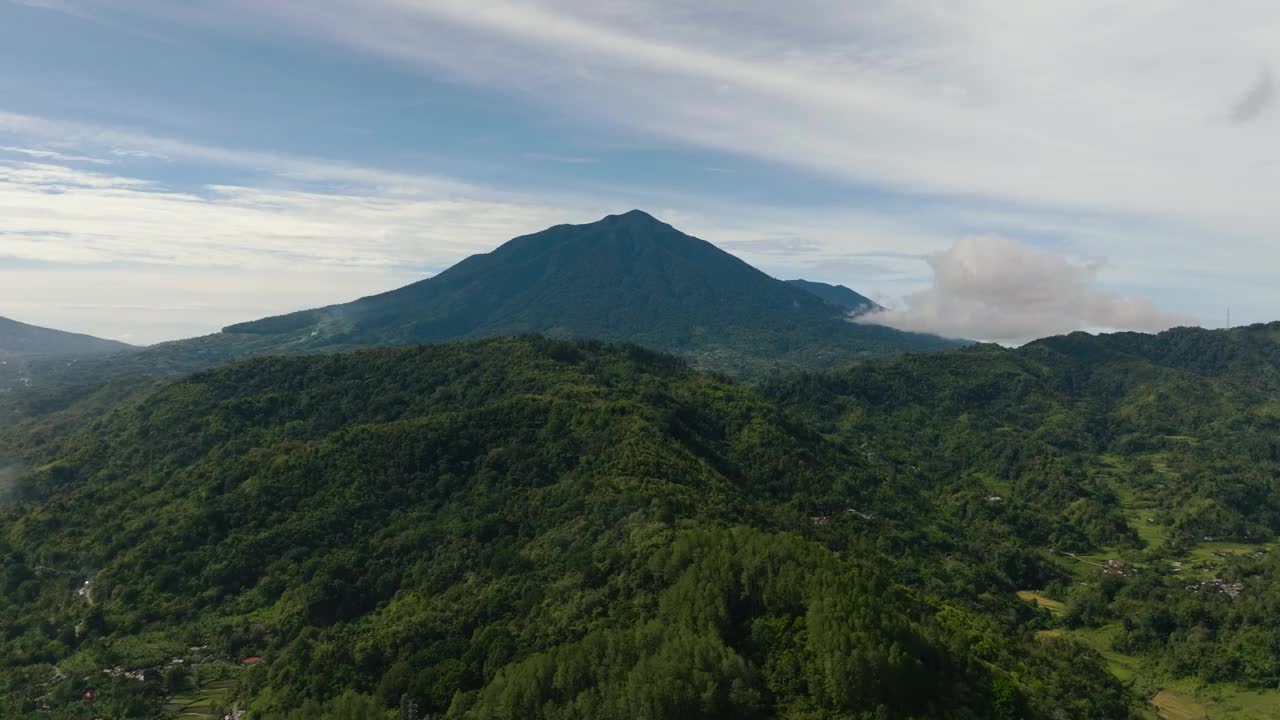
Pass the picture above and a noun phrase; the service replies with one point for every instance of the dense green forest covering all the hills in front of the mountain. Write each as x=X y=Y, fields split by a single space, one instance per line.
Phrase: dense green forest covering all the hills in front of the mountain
x=540 y=528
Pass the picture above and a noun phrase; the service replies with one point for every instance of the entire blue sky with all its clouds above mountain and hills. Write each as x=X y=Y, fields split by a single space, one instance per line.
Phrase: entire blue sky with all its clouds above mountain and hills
x=989 y=170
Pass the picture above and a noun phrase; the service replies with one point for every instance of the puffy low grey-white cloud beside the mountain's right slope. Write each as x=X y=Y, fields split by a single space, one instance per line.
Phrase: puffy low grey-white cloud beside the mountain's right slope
x=1000 y=290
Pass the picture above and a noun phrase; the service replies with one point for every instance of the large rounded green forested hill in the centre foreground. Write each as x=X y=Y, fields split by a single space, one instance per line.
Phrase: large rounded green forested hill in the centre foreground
x=515 y=528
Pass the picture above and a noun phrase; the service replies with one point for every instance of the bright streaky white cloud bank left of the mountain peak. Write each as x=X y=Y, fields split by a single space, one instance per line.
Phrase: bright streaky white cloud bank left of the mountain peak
x=99 y=218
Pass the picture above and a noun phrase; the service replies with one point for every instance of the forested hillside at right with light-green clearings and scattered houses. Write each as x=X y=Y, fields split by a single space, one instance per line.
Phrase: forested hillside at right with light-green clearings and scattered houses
x=1163 y=453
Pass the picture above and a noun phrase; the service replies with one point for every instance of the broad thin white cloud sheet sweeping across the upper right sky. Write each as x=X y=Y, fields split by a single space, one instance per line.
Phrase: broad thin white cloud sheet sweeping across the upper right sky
x=1055 y=107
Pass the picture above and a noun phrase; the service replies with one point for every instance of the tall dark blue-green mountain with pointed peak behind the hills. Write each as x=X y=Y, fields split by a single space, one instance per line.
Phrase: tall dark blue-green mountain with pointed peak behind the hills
x=628 y=277
